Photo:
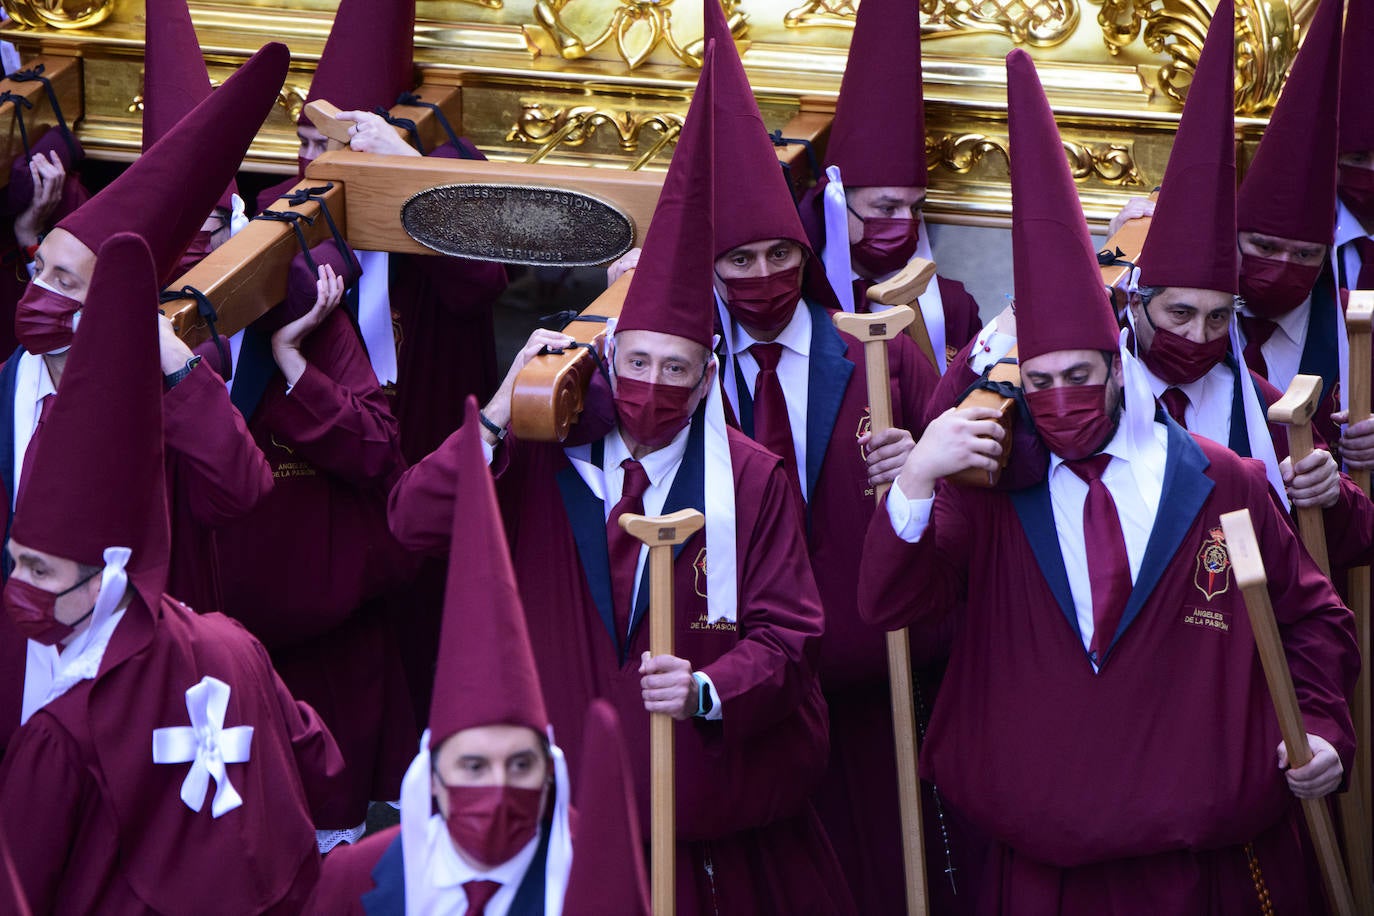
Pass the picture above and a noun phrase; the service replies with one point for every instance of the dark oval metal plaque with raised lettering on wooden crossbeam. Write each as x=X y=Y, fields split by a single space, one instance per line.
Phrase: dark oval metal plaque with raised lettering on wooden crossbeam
x=517 y=225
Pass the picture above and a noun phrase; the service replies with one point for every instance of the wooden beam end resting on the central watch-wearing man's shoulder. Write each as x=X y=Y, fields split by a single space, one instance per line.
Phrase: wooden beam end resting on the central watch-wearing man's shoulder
x=550 y=391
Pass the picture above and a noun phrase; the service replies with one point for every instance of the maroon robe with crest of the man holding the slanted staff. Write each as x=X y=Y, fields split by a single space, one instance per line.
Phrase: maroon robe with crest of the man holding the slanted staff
x=1138 y=785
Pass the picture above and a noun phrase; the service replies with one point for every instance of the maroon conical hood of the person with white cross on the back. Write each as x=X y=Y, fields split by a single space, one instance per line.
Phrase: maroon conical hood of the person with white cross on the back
x=94 y=479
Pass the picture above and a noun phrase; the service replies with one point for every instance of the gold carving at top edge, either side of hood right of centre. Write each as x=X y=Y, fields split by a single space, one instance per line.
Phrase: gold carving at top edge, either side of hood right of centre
x=1039 y=24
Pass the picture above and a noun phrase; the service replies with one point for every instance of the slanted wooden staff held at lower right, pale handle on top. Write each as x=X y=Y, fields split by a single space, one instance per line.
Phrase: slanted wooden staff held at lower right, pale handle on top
x=1250 y=575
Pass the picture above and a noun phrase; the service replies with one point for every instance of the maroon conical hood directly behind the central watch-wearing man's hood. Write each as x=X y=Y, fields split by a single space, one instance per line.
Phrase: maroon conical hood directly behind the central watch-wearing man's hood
x=752 y=196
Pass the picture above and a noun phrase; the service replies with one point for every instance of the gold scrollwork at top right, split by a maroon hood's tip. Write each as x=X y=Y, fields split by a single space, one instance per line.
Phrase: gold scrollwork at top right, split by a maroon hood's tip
x=1266 y=42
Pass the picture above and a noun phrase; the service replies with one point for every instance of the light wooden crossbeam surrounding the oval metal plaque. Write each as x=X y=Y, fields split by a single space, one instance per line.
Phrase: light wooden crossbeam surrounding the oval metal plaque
x=380 y=185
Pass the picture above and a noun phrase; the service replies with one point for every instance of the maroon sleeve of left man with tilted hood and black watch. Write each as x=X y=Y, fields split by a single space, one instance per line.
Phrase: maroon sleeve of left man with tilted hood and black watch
x=225 y=472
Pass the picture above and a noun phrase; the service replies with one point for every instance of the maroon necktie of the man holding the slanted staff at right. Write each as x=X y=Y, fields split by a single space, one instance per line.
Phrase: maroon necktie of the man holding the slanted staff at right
x=1110 y=568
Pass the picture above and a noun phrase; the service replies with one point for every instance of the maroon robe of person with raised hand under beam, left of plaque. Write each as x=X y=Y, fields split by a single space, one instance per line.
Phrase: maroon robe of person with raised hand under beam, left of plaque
x=306 y=569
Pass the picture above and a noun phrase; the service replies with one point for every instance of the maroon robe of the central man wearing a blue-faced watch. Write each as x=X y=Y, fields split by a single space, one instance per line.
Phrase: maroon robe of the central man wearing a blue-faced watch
x=748 y=840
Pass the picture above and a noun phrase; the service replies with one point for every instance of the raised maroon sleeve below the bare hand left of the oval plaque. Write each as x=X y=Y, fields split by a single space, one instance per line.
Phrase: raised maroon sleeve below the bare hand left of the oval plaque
x=336 y=415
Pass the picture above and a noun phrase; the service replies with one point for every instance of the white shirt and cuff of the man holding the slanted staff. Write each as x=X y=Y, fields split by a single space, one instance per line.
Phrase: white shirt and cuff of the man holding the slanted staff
x=1136 y=483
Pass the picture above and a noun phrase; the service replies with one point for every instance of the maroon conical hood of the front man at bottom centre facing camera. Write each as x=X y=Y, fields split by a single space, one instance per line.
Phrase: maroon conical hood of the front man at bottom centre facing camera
x=487 y=669
